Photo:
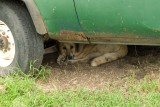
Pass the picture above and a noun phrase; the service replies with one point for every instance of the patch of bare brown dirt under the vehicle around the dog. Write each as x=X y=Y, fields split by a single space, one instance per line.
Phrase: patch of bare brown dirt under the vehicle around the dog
x=140 y=61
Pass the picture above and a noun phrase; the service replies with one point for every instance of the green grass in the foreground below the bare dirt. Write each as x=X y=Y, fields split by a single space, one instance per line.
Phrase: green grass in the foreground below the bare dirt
x=20 y=90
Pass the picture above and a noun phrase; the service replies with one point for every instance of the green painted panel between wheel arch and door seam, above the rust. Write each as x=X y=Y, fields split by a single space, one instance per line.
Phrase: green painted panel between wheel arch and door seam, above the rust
x=58 y=15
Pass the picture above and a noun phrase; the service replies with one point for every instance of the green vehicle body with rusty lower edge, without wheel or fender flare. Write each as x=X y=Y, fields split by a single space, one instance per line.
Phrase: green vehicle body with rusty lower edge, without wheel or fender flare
x=101 y=21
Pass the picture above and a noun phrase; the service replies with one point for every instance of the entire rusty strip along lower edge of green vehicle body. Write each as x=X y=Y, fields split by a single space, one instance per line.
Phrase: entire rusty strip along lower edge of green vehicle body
x=103 y=38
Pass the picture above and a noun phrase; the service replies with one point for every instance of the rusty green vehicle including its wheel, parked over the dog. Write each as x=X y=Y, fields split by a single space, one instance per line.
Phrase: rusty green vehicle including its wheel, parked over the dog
x=25 y=24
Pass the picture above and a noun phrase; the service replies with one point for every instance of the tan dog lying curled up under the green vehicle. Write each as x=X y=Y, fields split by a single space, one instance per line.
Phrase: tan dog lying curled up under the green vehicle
x=70 y=53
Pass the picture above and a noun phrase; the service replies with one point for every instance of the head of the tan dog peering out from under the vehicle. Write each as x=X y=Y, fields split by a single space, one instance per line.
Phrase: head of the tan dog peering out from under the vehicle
x=68 y=50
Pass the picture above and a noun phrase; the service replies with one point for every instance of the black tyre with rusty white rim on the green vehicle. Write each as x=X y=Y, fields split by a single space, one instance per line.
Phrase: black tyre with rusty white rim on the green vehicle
x=19 y=42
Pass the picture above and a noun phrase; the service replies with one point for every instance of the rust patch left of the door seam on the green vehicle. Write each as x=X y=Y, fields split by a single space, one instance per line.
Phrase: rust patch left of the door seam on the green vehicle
x=71 y=36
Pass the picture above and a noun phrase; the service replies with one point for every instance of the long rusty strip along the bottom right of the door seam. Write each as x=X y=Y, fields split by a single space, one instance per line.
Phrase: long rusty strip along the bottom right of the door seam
x=133 y=39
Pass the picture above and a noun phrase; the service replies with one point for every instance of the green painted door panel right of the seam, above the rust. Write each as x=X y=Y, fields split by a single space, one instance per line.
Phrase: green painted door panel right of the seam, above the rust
x=141 y=18
